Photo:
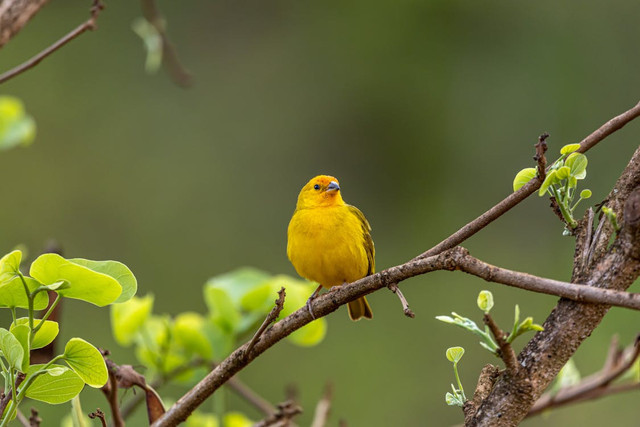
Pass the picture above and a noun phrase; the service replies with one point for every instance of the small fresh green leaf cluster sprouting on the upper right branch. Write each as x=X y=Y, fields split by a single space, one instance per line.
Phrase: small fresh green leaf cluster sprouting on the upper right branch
x=561 y=181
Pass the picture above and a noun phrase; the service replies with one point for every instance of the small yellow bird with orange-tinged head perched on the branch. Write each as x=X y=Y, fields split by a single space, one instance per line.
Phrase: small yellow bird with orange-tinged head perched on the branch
x=329 y=241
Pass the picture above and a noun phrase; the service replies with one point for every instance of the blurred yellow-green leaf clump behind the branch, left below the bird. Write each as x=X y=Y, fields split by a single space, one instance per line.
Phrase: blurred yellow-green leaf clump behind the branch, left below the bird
x=237 y=303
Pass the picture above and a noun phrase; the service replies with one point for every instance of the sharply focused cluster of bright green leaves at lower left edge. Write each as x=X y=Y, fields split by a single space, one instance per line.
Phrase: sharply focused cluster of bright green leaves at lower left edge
x=97 y=282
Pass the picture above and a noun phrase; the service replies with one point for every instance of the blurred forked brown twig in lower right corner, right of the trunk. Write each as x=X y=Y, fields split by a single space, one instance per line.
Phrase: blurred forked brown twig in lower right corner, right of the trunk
x=596 y=385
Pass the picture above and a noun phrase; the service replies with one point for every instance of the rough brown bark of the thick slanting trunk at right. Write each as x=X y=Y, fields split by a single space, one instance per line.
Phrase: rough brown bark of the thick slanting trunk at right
x=570 y=323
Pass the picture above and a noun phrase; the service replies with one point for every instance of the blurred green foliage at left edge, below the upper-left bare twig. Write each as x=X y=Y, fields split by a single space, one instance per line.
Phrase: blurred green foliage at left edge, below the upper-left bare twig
x=16 y=126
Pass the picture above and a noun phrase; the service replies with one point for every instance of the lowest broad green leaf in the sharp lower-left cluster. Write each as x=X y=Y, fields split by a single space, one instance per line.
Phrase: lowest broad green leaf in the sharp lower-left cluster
x=58 y=384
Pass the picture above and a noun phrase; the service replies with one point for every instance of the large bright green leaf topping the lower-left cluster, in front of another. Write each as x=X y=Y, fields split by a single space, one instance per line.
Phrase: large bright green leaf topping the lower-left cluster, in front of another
x=84 y=284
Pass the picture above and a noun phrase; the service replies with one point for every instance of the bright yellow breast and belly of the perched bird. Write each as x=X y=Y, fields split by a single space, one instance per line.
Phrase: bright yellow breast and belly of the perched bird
x=327 y=245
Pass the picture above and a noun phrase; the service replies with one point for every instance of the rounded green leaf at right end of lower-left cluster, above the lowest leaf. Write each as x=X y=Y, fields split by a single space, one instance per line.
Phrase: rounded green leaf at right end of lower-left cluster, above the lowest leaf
x=87 y=362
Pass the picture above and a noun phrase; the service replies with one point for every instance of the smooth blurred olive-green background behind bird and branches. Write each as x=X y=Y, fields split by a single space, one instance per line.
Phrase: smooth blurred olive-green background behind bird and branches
x=424 y=111
